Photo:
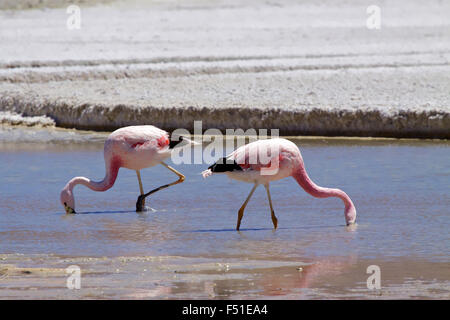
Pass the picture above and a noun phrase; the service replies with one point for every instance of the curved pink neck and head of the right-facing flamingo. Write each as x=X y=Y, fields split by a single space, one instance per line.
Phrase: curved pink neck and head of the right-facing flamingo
x=319 y=192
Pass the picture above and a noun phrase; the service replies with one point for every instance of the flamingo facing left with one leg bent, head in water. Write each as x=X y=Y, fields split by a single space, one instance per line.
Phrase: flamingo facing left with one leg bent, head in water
x=135 y=148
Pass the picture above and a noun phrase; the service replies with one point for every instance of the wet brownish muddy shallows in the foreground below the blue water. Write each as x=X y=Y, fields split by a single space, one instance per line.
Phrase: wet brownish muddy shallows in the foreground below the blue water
x=175 y=277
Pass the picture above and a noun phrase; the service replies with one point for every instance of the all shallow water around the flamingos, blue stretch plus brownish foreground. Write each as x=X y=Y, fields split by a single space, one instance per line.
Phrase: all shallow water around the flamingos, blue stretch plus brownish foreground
x=399 y=187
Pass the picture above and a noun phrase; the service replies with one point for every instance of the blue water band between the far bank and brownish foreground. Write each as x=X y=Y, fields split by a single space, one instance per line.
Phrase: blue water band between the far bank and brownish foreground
x=400 y=190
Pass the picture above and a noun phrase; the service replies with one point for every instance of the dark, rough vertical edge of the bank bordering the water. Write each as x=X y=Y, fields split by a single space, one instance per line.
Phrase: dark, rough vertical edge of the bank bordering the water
x=316 y=121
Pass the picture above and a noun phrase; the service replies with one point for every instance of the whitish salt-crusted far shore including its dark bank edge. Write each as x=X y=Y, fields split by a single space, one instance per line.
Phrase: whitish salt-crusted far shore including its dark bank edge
x=300 y=67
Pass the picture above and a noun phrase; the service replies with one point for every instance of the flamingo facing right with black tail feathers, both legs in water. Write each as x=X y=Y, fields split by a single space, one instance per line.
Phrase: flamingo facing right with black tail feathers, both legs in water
x=247 y=164
